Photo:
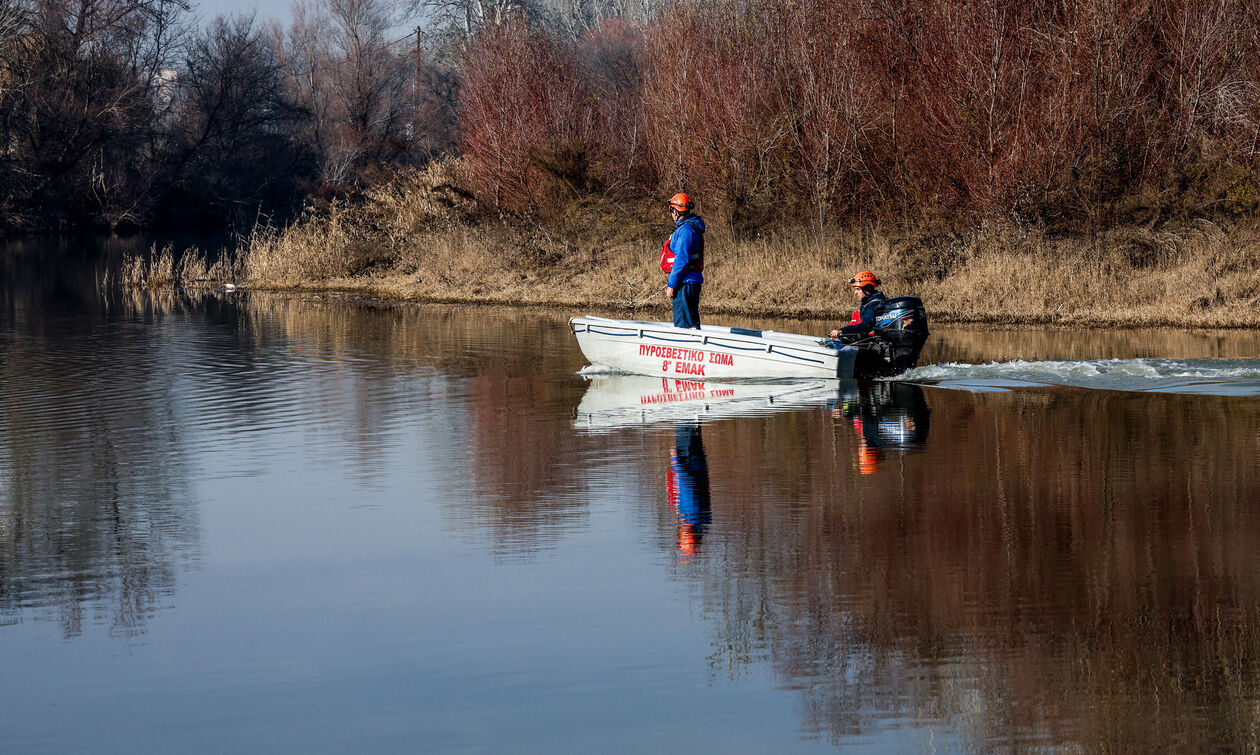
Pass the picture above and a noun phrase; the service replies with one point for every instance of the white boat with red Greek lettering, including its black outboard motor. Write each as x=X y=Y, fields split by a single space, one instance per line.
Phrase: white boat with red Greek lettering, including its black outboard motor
x=716 y=352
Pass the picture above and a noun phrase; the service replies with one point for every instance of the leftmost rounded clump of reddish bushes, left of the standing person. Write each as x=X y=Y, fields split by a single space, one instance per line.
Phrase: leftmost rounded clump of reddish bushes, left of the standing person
x=545 y=120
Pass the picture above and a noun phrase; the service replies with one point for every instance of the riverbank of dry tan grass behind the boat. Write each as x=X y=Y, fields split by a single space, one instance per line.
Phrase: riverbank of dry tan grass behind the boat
x=421 y=239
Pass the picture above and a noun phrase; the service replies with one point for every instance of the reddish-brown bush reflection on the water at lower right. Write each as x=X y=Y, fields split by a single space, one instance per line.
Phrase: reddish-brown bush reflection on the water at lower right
x=1049 y=569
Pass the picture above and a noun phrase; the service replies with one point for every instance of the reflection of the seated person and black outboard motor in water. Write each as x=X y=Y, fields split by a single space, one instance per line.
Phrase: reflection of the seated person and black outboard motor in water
x=886 y=417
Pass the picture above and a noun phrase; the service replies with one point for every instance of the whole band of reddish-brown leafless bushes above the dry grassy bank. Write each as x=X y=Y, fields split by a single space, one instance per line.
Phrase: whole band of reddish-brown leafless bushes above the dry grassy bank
x=855 y=110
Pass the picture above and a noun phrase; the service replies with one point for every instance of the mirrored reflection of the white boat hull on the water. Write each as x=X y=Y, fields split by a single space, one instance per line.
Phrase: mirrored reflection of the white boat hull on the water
x=624 y=400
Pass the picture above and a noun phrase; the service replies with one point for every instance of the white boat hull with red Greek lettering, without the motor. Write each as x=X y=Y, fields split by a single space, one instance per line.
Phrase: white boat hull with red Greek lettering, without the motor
x=711 y=352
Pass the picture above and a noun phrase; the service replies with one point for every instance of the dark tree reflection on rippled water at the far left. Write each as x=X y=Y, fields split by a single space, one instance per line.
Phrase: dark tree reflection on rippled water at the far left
x=95 y=510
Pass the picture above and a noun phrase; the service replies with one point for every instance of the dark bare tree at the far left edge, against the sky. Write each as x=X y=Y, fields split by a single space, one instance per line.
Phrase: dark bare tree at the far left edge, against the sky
x=85 y=120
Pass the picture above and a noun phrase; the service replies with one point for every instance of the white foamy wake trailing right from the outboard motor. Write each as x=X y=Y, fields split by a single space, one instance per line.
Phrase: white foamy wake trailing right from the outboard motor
x=1230 y=377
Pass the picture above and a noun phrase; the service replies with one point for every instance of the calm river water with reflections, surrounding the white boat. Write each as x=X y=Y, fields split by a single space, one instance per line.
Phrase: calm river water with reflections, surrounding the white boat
x=301 y=524
